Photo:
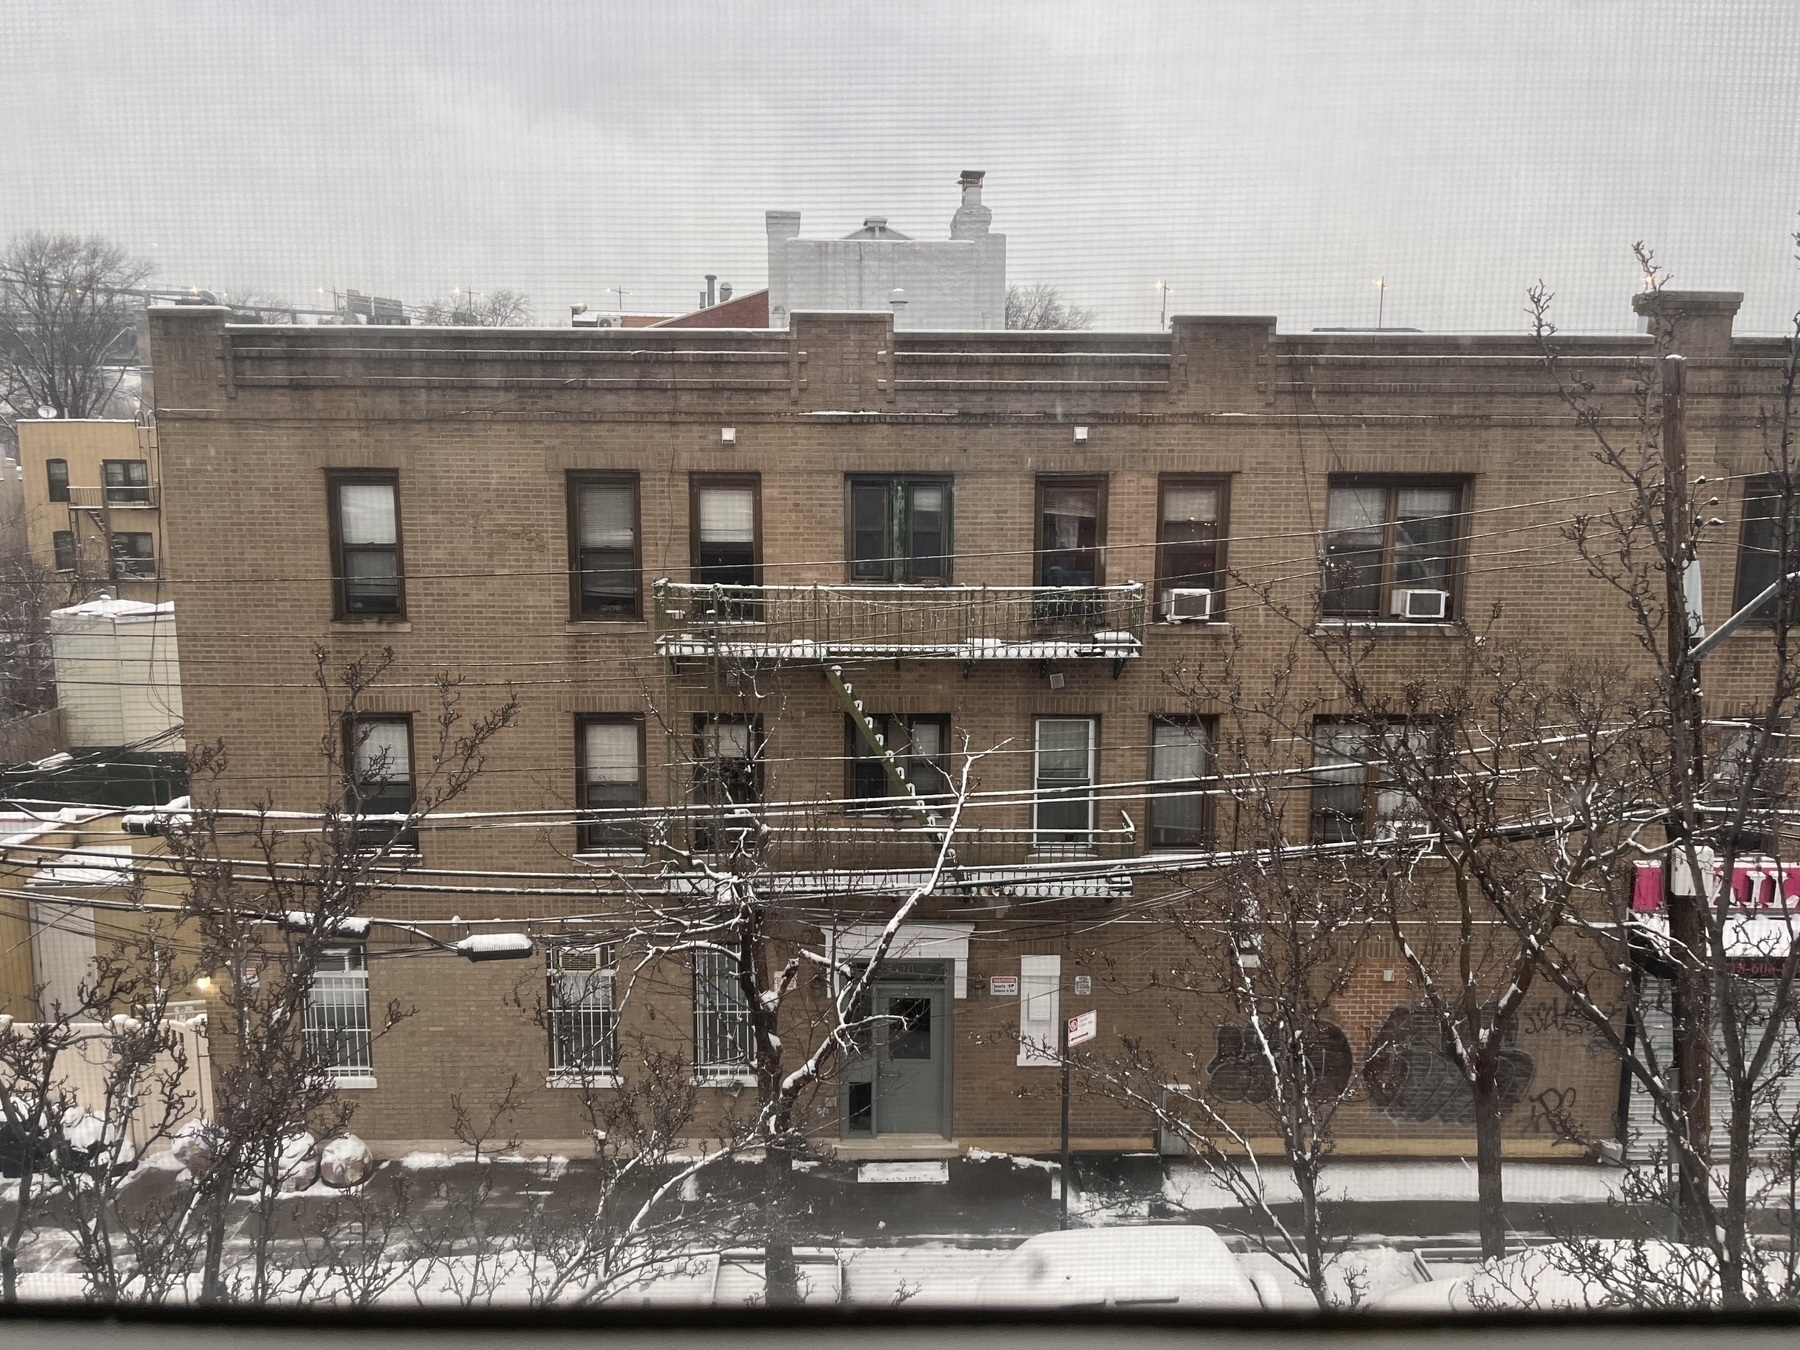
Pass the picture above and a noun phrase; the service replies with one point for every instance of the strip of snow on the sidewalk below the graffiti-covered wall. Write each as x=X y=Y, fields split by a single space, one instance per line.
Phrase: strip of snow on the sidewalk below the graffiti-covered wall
x=1191 y=1187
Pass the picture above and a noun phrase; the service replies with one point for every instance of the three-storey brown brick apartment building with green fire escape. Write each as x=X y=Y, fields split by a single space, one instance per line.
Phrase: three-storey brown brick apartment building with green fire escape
x=759 y=595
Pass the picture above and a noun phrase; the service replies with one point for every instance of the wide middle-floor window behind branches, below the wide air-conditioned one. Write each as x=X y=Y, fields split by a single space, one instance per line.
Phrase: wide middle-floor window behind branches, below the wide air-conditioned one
x=1356 y=780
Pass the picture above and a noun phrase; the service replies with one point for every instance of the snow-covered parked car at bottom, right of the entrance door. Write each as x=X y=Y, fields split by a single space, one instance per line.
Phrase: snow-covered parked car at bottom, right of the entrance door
x=1142 y=1266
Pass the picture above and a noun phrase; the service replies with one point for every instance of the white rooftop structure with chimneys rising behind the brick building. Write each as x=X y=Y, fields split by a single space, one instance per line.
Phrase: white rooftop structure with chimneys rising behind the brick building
x=957 y=283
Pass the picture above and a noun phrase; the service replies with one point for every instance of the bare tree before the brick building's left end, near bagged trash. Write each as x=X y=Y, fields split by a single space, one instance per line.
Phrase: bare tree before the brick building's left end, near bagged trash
x=265 y=924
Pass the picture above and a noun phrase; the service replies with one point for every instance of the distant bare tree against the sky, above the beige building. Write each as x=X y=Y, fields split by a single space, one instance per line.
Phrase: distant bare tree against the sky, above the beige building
x=64 y=314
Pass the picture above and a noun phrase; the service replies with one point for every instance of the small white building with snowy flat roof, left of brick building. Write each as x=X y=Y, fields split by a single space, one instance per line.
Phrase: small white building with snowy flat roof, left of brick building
x=118 y=674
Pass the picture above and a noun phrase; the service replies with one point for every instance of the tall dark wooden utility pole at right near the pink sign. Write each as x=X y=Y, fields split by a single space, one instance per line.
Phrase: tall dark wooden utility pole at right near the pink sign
x=1687 y=913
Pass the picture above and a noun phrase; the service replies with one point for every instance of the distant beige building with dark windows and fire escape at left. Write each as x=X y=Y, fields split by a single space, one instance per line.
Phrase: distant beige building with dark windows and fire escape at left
x=93 y=501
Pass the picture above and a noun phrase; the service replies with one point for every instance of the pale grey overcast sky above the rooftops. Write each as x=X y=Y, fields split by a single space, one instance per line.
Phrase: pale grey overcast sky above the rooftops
x=1261 y=157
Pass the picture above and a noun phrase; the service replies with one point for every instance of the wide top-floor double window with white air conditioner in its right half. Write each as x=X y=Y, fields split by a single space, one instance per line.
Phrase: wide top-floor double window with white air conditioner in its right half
x=1385 y=539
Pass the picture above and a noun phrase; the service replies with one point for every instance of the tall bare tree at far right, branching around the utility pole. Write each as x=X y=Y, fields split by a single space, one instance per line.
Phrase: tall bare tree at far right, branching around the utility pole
x=1714 y=789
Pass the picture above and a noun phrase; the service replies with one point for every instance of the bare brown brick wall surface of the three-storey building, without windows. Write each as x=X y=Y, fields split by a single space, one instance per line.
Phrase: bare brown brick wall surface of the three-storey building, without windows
x=485 y=429
